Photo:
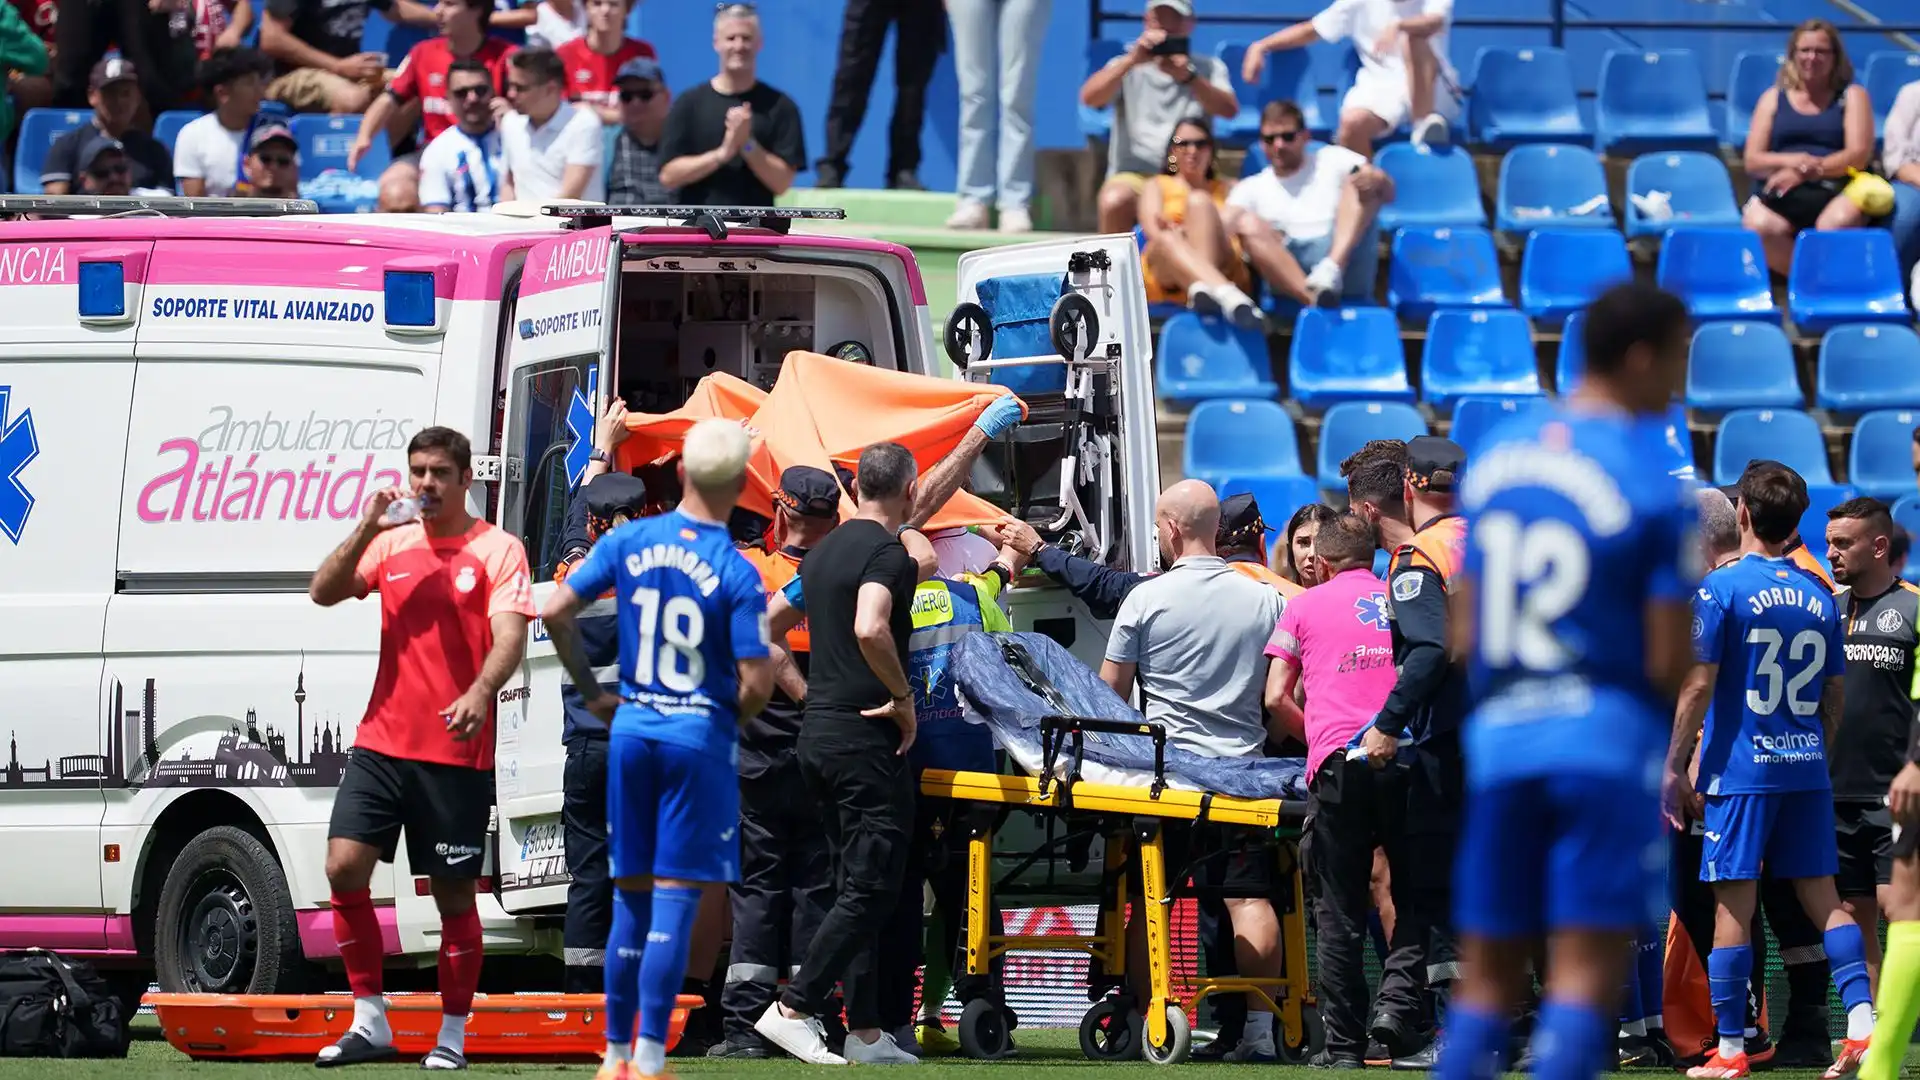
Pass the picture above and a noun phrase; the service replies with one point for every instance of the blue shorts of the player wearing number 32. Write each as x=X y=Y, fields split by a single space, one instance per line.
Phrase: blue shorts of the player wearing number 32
x=1792 y=833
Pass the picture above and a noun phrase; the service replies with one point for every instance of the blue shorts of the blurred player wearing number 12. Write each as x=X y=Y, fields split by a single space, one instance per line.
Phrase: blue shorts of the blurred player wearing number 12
x=1560 y=854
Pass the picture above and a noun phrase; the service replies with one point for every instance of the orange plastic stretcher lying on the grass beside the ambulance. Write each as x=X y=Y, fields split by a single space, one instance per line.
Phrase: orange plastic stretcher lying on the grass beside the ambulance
x=260 y=1027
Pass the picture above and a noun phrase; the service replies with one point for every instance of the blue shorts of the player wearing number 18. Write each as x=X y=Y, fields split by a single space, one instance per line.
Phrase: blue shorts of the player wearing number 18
x=671 y=812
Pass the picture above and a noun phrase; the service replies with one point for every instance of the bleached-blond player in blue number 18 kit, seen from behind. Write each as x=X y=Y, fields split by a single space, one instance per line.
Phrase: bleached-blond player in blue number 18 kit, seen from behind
x=694 y=666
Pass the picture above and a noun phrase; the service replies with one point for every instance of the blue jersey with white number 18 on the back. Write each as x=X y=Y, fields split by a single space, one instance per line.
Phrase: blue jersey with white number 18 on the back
x=690 y=610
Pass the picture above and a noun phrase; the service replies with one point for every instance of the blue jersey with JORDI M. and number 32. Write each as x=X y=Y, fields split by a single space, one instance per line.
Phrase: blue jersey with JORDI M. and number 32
x=1777 y=635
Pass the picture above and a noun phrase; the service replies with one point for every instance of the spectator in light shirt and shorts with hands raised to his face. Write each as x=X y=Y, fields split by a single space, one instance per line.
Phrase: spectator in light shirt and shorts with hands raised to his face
x=1151 y=89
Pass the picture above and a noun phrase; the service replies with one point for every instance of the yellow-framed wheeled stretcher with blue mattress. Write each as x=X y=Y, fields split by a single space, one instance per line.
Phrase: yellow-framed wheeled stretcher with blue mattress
x=1097 y=773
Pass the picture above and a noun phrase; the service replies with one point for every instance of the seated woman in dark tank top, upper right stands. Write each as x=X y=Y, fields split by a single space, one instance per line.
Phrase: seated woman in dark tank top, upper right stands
x=1800 y=155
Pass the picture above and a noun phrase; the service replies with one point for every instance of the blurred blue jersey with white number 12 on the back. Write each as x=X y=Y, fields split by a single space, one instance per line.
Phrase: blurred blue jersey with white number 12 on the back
x=1573 y=528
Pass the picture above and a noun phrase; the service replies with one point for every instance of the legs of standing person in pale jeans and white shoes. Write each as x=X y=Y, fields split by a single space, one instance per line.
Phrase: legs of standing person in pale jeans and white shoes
x=997 y=61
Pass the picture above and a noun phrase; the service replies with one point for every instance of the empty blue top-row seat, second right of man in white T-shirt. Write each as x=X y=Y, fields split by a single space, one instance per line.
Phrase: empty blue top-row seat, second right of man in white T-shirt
x=1652 y=101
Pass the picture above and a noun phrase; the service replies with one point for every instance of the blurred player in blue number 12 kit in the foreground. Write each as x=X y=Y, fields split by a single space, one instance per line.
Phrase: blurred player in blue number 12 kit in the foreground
x=1579 y=564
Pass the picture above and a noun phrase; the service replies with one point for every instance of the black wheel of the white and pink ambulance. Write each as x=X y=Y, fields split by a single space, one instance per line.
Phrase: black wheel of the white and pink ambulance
x=228 y=920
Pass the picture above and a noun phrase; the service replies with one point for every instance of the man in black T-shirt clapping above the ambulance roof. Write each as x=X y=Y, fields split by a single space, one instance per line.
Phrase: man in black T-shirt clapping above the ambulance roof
x=734 y=141
